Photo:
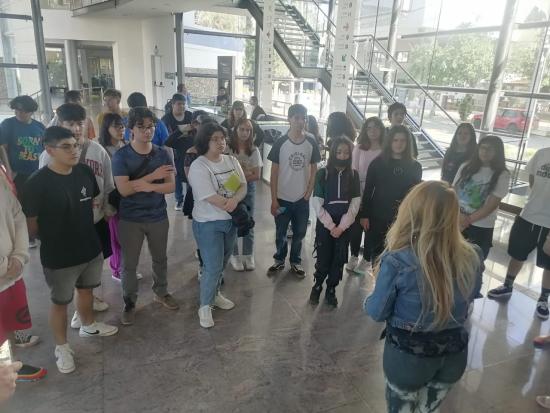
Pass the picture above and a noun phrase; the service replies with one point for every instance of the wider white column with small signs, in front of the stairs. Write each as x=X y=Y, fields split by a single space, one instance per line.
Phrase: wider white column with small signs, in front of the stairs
x=343 y=52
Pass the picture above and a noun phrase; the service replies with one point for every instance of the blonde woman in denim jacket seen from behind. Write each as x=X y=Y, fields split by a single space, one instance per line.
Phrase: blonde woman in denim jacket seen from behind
x=426 y=278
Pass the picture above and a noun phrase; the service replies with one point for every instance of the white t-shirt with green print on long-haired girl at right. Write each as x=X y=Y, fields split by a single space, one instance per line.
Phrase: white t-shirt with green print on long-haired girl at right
x=473 y=193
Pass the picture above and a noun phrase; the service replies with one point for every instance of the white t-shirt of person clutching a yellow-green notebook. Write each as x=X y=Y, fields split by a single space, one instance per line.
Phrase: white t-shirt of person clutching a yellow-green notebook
x=208 y=178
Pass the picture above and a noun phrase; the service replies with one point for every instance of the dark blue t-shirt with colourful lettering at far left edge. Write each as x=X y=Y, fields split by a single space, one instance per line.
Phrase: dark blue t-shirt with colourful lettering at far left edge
x=24 y=141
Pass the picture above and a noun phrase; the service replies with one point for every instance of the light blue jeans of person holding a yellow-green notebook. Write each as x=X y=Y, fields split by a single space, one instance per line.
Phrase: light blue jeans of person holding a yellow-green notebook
x=215 y=240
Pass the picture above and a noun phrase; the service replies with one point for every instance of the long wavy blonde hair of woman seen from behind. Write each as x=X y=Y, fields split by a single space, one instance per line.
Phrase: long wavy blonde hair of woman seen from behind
x=428 y=223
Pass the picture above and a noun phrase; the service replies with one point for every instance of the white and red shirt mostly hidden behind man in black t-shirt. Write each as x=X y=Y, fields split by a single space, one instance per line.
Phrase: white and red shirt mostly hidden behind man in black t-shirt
x=99 y=160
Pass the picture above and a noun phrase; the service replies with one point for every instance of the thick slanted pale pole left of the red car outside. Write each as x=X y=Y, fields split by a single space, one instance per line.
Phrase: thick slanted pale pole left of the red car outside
x=499 y=64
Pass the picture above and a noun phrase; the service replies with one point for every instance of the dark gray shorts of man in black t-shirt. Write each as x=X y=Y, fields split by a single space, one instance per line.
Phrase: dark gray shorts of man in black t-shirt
x=63 y=281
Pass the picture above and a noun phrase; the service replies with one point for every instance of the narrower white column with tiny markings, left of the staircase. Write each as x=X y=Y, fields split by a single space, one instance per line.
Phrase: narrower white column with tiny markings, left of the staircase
x=266 y=56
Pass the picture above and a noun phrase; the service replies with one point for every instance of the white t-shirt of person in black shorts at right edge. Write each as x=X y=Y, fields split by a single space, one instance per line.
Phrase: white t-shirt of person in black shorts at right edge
x=537 y=208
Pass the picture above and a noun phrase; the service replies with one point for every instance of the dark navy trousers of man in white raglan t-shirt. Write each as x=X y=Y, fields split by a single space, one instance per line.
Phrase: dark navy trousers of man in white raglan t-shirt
x=297 y=213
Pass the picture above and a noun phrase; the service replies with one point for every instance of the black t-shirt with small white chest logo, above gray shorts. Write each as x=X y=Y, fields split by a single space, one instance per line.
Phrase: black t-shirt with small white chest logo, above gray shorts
x=63 y=206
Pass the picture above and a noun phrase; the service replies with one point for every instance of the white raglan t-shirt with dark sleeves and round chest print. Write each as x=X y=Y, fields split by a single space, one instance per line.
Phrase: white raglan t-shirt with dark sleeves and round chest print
x=294 y=160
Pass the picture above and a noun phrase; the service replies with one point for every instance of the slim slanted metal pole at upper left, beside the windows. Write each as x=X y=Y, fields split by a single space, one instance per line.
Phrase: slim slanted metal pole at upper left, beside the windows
x=41 y=60
